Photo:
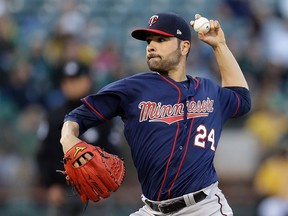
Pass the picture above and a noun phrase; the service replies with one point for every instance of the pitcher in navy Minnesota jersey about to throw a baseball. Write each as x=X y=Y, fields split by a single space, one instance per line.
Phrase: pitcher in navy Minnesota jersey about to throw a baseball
x=172 y=123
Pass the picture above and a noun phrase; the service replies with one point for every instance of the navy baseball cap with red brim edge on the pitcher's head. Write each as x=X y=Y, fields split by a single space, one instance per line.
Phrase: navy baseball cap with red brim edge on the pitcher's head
x=168 y=24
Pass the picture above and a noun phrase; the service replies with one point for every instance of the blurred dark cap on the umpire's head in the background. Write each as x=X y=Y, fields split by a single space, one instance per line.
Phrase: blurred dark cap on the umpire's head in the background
x=73 y=69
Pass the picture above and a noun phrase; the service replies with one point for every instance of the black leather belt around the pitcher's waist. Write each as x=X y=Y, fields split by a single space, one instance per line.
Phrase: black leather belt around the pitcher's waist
x=176 y=205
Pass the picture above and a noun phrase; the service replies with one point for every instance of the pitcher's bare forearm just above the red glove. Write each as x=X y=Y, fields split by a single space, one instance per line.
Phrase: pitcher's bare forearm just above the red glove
x=69 y=135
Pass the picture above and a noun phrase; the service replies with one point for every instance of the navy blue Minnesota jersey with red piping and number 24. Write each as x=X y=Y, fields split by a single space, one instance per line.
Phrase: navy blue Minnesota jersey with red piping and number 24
x=172 y=129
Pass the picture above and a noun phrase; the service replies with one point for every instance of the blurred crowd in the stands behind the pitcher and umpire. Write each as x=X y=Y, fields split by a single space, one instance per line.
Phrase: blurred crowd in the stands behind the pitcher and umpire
x=35 y=44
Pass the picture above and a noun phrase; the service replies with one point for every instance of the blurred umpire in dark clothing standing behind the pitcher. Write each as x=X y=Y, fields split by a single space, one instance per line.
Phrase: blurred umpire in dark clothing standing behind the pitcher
x=75 y=83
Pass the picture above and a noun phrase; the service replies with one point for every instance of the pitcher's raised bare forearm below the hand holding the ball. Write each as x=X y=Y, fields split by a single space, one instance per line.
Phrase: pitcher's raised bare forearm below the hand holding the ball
x=230 y=70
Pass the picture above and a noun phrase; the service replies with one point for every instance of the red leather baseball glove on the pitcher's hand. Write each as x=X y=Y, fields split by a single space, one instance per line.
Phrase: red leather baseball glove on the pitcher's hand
x=100 y=175
